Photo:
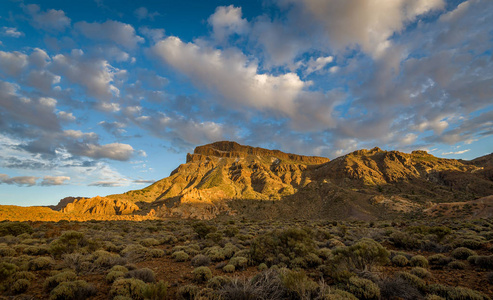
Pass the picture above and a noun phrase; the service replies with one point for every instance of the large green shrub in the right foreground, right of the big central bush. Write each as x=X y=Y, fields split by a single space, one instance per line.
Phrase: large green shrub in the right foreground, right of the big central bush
x=363 y=255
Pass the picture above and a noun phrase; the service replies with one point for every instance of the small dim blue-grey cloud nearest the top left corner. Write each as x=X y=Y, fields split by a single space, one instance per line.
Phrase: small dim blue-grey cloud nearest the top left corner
x=52 y=19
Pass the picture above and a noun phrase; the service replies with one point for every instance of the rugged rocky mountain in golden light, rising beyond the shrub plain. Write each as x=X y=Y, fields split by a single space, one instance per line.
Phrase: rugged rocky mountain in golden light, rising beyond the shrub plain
x=226 y=178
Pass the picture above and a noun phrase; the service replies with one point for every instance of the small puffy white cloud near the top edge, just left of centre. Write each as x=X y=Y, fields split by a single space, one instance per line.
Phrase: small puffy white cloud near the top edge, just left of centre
x=226 y=21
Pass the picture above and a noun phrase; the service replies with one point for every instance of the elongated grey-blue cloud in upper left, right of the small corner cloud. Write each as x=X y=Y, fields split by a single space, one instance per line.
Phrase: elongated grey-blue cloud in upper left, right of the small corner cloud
x=110 y=31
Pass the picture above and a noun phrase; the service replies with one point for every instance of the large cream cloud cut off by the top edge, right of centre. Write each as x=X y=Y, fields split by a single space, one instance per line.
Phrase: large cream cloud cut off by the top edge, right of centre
x=366 y=23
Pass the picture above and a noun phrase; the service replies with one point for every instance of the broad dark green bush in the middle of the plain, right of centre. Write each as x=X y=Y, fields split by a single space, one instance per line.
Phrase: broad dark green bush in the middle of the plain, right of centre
x=292 y=242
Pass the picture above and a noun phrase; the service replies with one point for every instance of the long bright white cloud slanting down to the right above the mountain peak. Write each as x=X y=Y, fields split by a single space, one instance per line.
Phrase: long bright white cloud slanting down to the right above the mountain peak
x=231 y=75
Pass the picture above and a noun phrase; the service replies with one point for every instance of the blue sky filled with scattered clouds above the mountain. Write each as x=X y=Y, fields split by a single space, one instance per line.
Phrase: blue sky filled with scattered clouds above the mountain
x=101 y=97
